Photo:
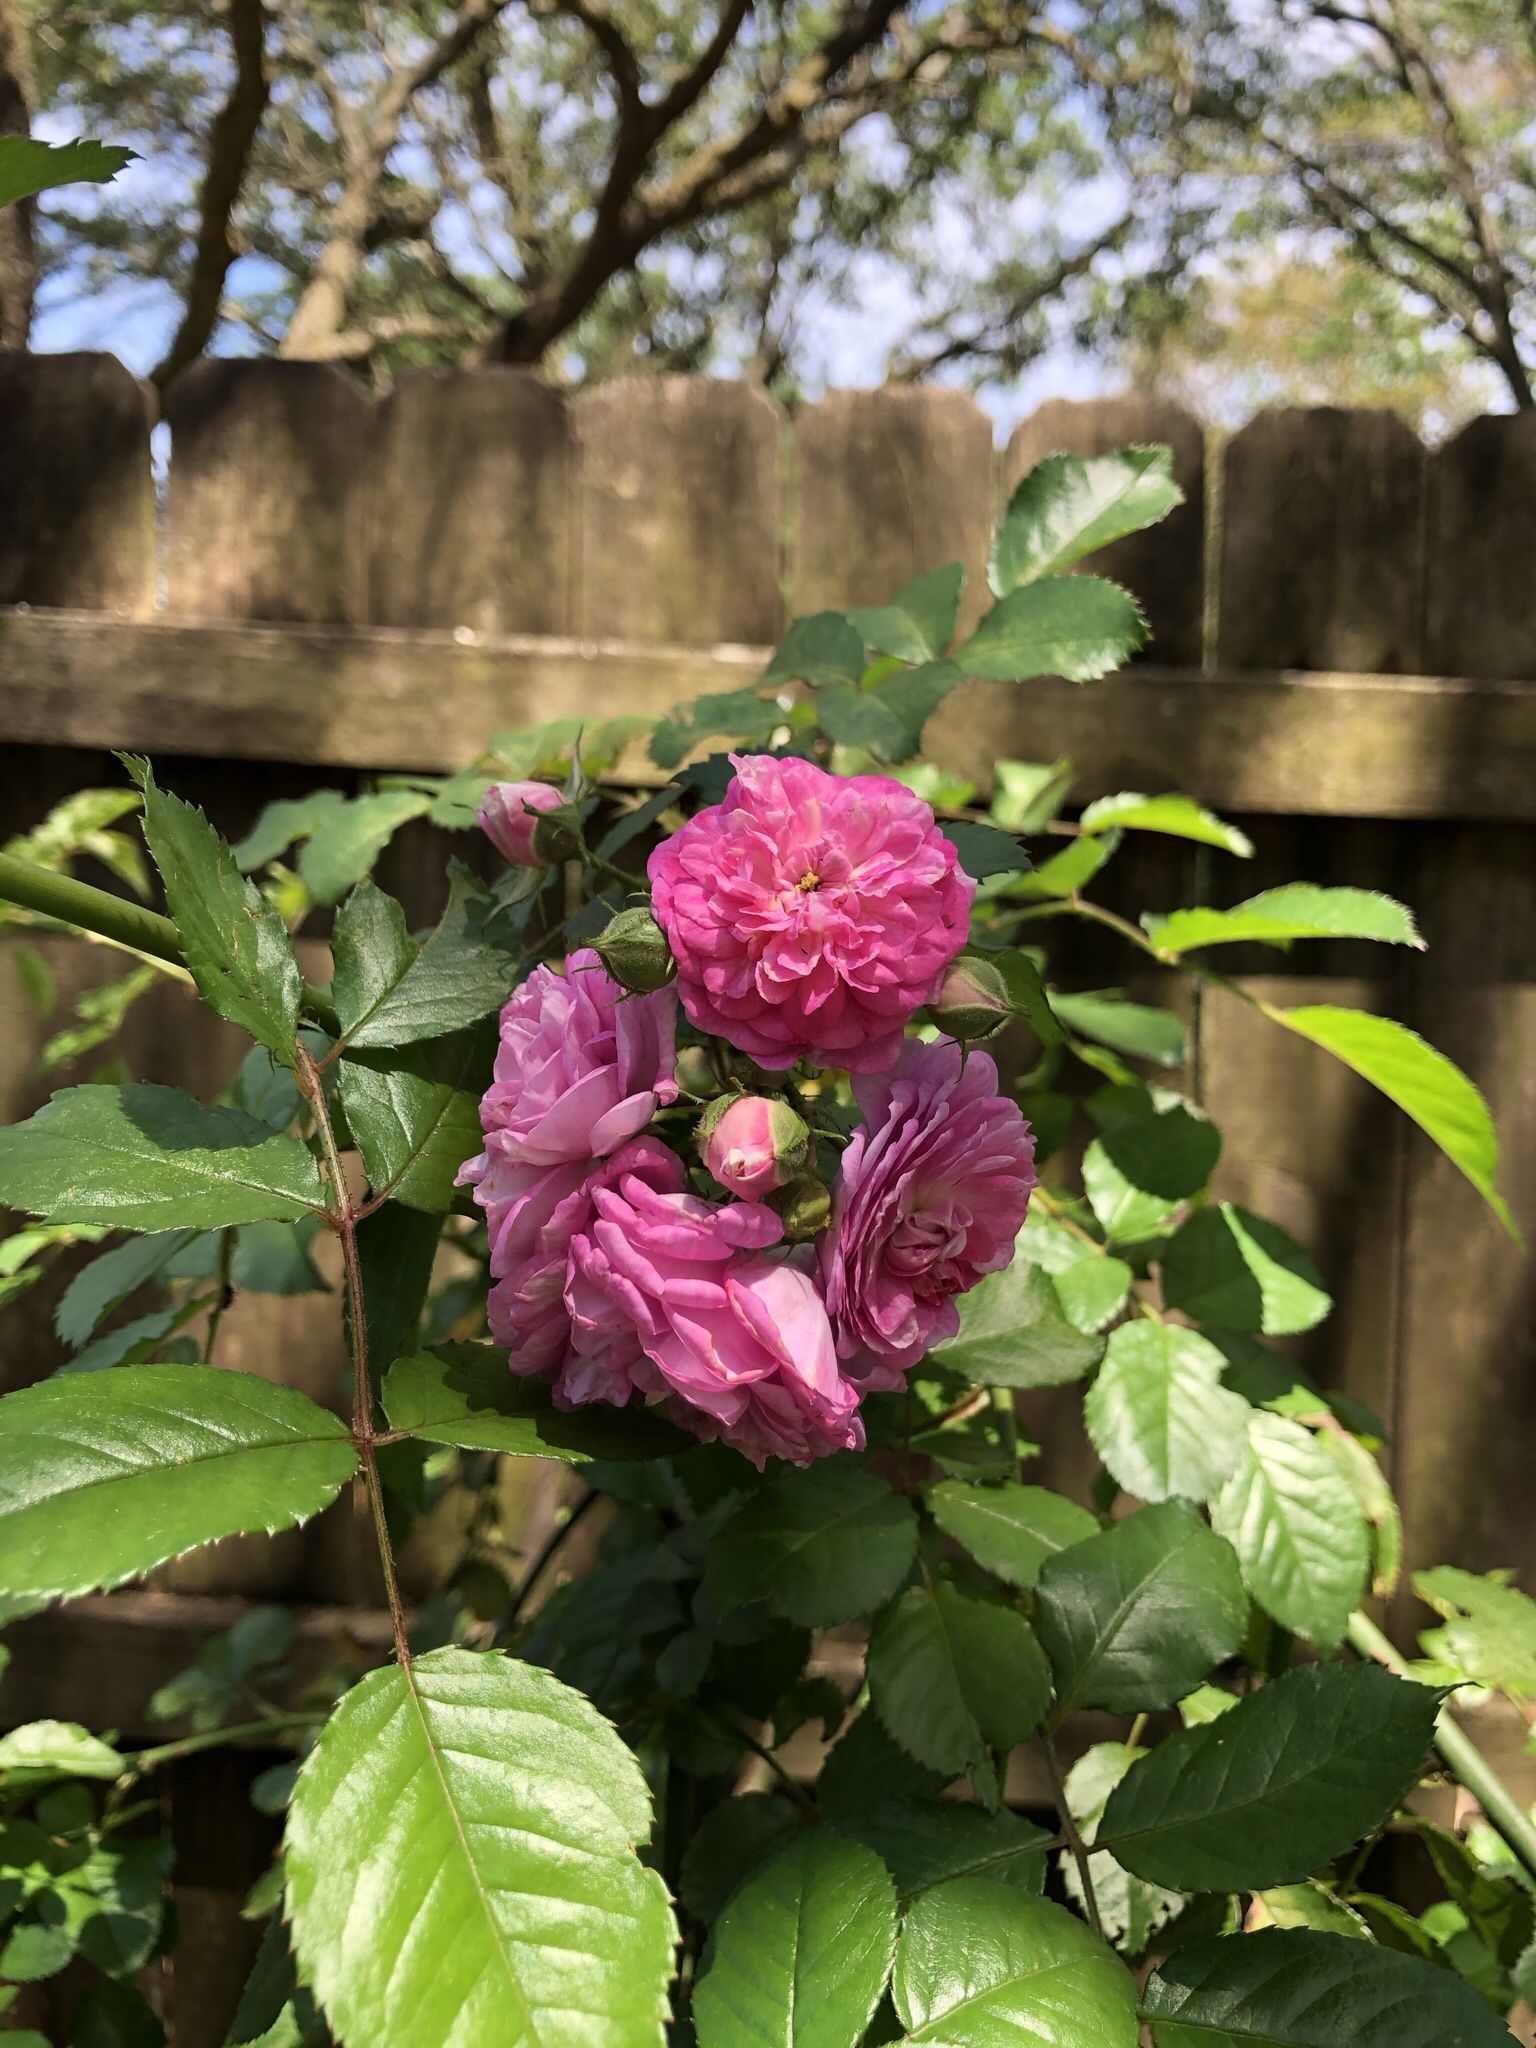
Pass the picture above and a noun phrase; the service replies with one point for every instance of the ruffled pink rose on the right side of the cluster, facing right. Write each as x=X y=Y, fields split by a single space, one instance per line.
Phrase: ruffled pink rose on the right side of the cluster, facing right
x=931 y=1199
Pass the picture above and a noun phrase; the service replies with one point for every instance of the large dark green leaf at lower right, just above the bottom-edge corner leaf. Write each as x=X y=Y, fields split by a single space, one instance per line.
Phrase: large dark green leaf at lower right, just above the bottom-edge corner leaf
x=1293 y=1777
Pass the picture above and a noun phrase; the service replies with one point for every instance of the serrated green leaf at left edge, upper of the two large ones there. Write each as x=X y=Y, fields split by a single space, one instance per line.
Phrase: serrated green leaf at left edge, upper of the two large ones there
x=148 y=1158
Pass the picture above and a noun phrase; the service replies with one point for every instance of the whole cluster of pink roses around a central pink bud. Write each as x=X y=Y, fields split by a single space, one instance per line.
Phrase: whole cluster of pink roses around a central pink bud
x=810 y=919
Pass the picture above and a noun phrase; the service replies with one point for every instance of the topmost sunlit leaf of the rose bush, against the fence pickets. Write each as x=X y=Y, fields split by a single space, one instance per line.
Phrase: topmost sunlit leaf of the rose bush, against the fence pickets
x=1068 y=507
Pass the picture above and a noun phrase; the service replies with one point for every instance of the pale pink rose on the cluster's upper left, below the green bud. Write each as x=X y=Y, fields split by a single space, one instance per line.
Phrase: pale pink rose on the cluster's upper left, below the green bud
x=581 y=1068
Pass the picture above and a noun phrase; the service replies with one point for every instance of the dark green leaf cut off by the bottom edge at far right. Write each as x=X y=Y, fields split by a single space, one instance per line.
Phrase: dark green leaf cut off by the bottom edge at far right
x=1297 y=1990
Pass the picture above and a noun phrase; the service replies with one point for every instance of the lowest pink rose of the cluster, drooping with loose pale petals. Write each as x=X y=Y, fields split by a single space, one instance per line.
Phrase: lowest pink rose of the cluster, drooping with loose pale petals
x=681 y=1302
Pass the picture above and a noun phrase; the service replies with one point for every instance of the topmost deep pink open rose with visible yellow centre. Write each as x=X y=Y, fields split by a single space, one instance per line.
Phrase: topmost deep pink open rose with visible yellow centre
x=810 y=914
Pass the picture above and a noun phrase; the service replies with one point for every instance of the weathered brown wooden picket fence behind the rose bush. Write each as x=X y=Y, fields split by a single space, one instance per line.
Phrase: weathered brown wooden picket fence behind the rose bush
x=1342 y=658
